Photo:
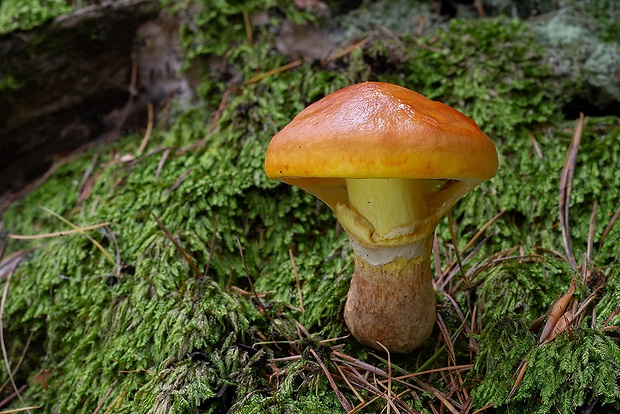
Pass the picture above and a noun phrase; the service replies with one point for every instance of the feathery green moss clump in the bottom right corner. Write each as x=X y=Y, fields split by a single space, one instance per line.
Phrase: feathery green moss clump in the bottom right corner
x=580 y=368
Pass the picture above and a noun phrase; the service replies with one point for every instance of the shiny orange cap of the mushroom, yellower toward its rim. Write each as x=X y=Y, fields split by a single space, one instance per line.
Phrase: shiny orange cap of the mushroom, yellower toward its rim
x=379 y=130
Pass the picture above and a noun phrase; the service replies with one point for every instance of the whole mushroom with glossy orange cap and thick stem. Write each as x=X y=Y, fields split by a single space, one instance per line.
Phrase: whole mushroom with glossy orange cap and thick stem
x=389 y=163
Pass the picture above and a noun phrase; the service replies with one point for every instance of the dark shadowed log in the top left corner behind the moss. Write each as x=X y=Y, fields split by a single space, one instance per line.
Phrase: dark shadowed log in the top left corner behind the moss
x=69 y=74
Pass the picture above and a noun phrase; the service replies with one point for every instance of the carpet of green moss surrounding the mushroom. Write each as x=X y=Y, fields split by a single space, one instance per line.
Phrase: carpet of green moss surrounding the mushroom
x=155 y=334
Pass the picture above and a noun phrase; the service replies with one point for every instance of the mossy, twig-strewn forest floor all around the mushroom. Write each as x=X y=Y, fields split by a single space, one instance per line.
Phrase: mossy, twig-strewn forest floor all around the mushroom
x=162 y=271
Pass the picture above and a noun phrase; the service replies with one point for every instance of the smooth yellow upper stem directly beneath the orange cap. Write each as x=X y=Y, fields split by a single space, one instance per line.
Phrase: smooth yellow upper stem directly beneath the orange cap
x=387 y=203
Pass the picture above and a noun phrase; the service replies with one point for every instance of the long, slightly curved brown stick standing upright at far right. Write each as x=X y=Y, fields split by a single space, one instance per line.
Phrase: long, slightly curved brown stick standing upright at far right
x=566 y=186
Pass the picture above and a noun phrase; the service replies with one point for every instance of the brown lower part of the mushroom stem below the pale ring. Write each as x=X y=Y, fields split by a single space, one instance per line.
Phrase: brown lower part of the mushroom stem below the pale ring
x=393 y=303
